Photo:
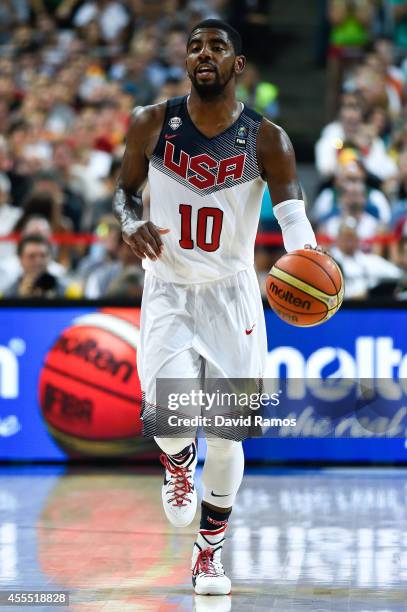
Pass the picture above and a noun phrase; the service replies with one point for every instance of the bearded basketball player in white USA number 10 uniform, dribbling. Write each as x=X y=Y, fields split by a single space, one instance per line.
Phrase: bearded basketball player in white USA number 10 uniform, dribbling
x=207 y=158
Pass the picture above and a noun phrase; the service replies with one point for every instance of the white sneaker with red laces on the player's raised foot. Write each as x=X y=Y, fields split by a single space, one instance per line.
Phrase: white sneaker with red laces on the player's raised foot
x=178 y=491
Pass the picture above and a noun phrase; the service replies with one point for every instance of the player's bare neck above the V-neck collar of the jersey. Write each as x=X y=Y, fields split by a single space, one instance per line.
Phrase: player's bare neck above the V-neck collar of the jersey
x=214 y=112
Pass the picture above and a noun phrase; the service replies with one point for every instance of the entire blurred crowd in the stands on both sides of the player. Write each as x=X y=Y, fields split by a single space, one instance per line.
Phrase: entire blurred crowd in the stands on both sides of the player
x=72 y=71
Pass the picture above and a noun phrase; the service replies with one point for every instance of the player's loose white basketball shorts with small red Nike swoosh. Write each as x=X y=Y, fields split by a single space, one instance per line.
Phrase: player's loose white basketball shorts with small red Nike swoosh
x=214 y=329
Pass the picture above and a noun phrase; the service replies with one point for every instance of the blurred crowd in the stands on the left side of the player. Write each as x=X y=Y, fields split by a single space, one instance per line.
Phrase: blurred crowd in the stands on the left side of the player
x=71 y=72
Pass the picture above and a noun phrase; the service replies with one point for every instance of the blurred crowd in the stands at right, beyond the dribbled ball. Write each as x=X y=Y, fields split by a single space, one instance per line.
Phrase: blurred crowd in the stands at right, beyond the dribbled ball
x=361 y=154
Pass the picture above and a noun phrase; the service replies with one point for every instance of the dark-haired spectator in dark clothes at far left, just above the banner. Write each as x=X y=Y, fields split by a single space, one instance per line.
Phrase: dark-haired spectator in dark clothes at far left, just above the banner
x=34 y=252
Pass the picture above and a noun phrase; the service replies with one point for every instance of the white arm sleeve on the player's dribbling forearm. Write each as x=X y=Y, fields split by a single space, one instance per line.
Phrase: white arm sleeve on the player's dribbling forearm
x=295 y=226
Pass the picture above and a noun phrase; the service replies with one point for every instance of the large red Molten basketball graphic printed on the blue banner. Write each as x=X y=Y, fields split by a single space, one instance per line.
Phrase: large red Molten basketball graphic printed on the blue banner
x=89 y=389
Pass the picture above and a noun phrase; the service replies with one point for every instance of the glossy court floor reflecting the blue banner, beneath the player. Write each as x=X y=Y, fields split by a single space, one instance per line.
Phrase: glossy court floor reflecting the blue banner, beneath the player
x=331 y=539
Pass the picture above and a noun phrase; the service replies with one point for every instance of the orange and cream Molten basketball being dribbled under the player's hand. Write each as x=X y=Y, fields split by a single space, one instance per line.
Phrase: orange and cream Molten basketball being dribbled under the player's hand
x=305 y=287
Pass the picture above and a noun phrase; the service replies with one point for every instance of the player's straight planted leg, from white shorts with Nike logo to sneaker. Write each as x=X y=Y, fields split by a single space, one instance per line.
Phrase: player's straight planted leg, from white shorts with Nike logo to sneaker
x=234 y=346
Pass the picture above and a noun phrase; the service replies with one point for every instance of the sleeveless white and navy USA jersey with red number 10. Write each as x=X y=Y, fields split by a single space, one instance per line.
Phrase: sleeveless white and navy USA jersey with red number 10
x=207 y=192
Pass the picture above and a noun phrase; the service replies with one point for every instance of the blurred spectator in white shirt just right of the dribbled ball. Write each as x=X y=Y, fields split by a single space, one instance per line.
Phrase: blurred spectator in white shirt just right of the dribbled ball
x=362 y=271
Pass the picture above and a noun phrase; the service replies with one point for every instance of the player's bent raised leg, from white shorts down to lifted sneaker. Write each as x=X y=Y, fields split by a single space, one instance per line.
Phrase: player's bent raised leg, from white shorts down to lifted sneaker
x=165 y=352
